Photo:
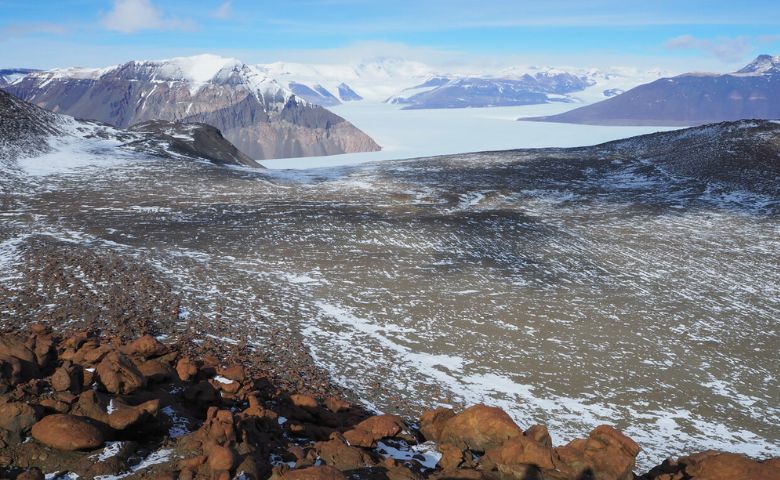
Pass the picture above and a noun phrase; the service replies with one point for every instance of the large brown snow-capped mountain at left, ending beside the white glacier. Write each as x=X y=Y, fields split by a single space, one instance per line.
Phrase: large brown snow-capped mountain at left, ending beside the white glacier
x=257 y=113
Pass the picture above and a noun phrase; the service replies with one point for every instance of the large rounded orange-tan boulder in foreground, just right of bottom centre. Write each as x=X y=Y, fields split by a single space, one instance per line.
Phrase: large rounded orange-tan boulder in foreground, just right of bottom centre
x=479 y=428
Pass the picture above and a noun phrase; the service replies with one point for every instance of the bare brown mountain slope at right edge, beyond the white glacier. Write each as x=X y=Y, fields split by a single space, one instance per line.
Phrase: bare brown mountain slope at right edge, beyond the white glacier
x=690 y=99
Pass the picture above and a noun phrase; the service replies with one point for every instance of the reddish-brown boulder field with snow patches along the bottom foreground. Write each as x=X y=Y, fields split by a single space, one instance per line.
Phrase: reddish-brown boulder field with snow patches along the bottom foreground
x=82 y=404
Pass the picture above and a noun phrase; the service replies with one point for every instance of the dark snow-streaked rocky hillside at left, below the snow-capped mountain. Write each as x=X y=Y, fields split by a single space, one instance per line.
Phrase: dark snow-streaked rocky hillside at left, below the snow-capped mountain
x=27 y=130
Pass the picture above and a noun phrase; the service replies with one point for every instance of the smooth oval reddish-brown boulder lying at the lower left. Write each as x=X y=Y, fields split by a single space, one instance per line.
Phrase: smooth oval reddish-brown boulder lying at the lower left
x=67 y=432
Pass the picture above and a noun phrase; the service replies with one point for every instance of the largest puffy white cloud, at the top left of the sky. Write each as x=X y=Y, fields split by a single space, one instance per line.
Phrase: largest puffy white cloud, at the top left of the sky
x=129 y=16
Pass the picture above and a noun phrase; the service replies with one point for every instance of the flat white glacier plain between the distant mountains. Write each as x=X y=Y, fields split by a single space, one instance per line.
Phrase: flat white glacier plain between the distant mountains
x=424 y=133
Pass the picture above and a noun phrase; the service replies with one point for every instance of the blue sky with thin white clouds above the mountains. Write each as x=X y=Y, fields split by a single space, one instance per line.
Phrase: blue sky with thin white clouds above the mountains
x=676 y=35
